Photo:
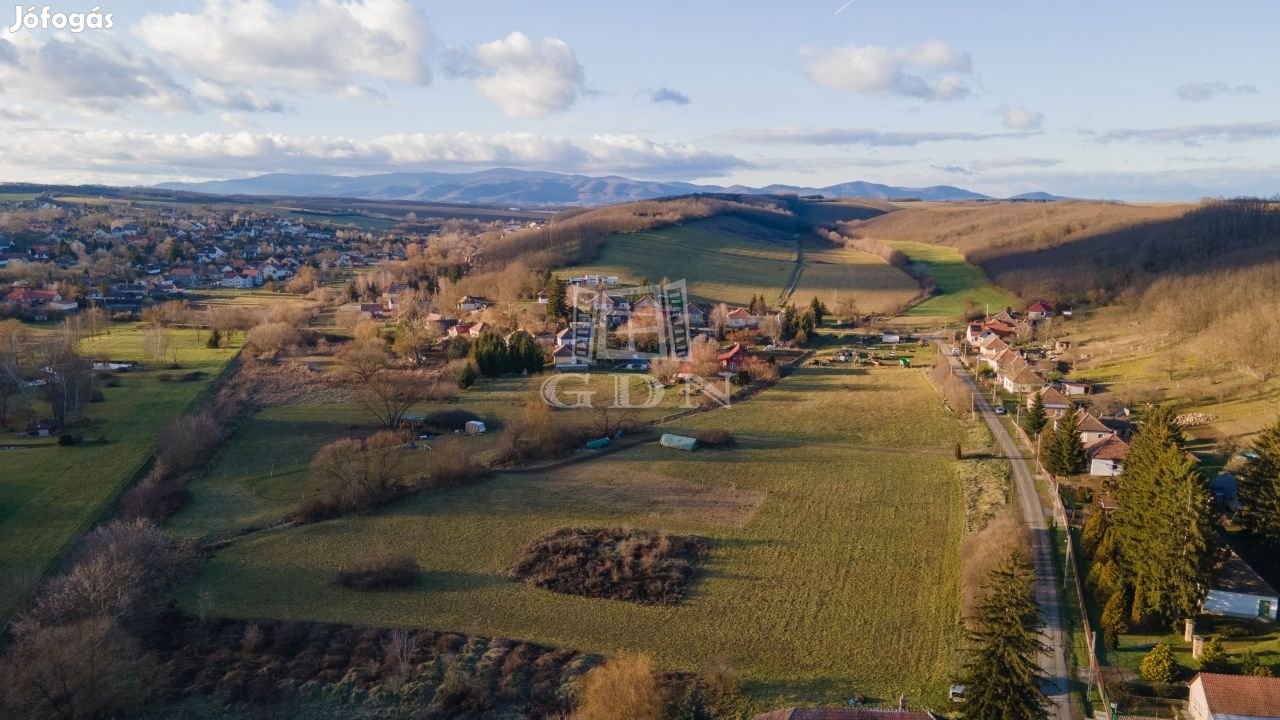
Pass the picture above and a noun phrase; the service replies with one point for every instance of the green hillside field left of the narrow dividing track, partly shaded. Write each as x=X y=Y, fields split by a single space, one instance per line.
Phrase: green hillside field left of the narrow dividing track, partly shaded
x=724 y=259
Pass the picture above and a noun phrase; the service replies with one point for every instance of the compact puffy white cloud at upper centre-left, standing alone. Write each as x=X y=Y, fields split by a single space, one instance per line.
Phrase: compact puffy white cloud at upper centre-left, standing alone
x=524 y=79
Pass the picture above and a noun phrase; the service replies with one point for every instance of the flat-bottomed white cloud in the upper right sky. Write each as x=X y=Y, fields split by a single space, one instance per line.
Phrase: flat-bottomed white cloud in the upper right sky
x=932 y=71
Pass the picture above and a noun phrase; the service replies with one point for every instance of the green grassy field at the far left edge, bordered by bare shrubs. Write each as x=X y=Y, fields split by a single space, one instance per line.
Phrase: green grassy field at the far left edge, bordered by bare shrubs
x=49 y=495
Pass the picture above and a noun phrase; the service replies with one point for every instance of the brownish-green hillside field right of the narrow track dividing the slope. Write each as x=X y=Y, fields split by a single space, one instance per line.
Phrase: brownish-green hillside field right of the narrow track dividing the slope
x=834 y=274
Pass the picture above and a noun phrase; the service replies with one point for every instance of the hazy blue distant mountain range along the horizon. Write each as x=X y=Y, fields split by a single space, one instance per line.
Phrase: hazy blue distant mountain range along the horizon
x=508 y=186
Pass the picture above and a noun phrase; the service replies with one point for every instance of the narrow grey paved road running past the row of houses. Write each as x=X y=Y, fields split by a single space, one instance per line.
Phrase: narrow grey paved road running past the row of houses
x=1054 y=663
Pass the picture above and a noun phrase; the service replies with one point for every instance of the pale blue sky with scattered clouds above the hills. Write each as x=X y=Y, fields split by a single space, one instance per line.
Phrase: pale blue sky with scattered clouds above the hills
x=1135 y=101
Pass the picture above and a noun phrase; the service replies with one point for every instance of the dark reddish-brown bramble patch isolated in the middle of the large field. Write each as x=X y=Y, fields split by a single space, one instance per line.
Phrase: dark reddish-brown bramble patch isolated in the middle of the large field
x=614 y=563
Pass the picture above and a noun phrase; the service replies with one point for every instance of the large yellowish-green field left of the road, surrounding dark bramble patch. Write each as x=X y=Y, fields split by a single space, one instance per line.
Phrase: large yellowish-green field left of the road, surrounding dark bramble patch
x=835 y=530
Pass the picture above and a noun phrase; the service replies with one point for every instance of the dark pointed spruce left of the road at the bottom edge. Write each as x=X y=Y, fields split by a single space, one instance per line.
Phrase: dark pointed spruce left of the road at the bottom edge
x=1003 y=677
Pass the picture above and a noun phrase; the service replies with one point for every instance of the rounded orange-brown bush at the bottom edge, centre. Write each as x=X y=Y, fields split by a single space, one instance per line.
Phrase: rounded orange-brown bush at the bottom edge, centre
x=624 y=689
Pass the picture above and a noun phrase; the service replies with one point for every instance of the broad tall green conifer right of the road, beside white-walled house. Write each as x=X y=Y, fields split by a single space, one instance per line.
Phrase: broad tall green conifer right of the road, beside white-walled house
x=1164 y=527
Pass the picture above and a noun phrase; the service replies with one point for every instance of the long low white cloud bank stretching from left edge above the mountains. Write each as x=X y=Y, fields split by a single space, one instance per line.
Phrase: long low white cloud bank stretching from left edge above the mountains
x=79 y=156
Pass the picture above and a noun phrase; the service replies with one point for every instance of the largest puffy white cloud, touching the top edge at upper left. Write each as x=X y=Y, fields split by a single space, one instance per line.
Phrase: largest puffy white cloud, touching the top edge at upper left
x=314 y=45
